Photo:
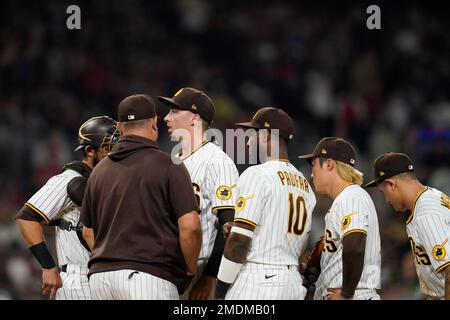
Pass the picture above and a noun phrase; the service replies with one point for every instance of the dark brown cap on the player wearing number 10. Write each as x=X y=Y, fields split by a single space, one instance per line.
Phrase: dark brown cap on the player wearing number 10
x=271 y=118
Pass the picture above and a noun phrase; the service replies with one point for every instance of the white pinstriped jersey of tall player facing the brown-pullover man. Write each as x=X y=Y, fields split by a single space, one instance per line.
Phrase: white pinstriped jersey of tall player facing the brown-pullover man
x=214 y=176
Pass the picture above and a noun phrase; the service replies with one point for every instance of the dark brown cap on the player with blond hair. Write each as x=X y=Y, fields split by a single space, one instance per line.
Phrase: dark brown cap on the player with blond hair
x=335 y=148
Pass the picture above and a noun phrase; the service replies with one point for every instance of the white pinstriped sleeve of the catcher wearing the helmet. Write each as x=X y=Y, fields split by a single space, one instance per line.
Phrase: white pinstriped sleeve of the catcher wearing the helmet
x=48 y=201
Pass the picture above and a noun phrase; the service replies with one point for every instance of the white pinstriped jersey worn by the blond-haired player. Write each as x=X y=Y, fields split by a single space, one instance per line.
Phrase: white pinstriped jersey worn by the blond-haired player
x=352 y=211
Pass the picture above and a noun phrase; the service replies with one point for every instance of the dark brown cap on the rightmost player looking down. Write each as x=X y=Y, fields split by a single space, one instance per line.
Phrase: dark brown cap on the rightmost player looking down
x=389 y=164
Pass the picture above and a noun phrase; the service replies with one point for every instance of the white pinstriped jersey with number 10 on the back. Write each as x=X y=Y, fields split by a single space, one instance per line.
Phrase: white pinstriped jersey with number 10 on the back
x=277 y=199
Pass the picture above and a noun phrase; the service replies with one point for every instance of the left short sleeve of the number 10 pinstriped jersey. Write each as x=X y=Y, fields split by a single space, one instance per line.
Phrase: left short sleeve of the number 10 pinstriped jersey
x=251 y=194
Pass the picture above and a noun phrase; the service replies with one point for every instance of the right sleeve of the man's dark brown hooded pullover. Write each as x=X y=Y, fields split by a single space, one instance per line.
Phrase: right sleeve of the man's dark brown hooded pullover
x=181 y=193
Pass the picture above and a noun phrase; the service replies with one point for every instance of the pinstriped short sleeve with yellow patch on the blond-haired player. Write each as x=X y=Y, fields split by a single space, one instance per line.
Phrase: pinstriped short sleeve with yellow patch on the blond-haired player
x=353 y=216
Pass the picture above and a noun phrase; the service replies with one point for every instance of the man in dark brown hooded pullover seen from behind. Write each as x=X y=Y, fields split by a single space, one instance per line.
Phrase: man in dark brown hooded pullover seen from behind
x=140 y=215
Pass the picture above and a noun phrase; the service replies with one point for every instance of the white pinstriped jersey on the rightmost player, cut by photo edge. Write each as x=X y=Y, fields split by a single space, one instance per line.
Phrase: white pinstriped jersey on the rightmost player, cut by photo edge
x=428 y=230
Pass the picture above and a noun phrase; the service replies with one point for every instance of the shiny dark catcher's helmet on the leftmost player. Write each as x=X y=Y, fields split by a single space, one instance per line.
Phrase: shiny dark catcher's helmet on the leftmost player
x=97 y=131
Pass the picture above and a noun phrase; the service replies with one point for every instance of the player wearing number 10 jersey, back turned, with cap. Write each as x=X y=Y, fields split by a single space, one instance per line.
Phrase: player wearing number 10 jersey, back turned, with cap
x=272 y=221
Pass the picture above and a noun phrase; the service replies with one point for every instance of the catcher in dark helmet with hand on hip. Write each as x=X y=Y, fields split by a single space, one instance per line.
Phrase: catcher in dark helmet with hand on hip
x=58 y=203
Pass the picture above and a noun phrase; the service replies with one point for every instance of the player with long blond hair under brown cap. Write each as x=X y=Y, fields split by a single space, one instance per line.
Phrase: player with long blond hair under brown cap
x=351 y=262
